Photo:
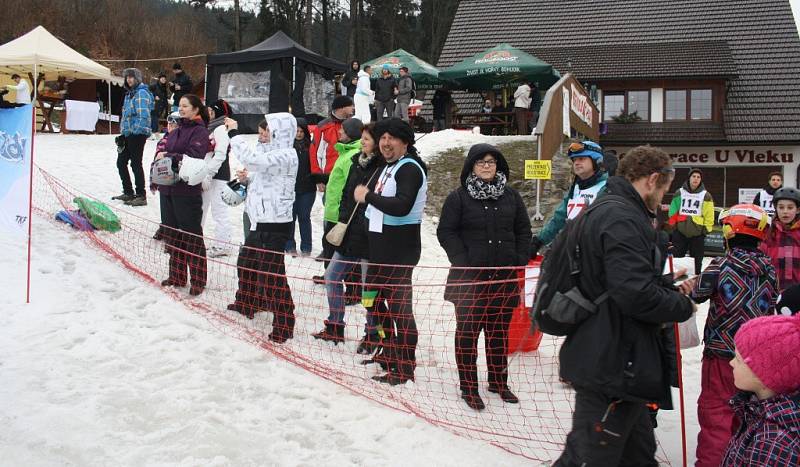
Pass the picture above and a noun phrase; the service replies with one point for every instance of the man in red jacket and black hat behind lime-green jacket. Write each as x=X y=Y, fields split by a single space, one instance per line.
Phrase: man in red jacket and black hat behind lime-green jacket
x=322 y=151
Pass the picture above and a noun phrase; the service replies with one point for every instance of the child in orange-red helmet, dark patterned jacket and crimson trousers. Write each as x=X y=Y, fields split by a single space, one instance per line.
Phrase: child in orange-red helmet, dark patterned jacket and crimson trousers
x=741 y=286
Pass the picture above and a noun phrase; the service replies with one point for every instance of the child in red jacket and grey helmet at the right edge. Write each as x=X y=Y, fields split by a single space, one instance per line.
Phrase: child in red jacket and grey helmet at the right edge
x=783 y=239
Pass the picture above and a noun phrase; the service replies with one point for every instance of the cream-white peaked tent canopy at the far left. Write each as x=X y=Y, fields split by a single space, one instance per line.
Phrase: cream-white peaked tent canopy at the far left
x=43 y=52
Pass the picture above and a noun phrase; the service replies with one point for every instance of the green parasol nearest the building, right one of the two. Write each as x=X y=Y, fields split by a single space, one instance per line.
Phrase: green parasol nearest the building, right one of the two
x=500 y=67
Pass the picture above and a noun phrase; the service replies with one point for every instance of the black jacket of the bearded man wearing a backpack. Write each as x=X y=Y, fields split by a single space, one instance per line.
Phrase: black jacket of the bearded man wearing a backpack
x=620 y=350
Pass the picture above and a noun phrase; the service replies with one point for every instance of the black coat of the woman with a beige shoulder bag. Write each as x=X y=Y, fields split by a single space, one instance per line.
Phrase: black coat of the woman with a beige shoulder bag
x=356 y=242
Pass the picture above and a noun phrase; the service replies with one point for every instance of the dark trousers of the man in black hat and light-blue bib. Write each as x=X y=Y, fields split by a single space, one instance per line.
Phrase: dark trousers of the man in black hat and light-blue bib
x=393 y=284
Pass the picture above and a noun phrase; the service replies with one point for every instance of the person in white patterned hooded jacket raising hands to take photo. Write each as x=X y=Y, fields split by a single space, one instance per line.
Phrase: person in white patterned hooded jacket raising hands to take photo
x=272 y=168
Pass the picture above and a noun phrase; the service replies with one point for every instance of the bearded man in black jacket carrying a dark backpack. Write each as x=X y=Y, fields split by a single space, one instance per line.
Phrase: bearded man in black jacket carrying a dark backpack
x=603 y=289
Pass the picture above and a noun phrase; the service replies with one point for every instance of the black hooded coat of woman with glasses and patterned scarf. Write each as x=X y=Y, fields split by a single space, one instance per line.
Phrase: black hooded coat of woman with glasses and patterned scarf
x=483 y=232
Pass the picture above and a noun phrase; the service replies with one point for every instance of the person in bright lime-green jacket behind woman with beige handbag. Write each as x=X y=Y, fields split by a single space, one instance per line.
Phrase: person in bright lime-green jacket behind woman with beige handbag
x=348 y=145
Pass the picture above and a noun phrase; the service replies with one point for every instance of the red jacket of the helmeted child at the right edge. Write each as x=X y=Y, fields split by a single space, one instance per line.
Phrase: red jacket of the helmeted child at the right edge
x=783 y=247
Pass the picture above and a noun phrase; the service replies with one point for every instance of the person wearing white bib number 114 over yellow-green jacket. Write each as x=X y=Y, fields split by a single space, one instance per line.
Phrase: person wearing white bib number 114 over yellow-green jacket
x=691 y=215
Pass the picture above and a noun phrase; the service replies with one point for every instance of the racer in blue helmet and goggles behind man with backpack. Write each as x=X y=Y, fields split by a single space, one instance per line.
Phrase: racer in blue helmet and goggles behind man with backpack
x=589 y=184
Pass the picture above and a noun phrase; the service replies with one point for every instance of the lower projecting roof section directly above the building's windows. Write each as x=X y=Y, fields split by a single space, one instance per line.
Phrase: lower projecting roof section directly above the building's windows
x=692 y=59
